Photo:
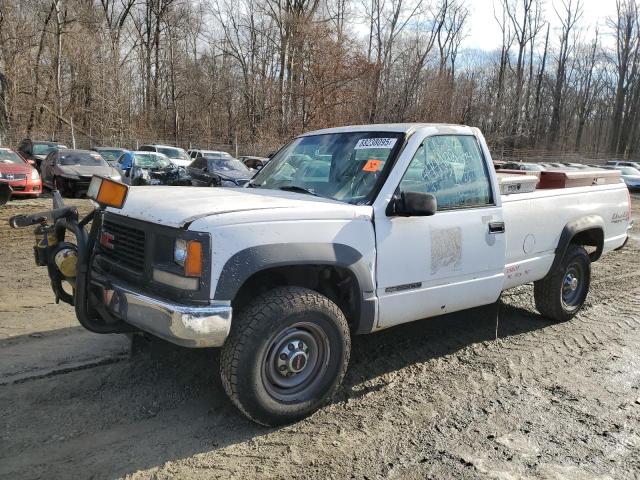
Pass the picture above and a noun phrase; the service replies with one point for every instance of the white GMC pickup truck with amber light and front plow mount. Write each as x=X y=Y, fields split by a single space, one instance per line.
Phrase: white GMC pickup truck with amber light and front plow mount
x=406 y=223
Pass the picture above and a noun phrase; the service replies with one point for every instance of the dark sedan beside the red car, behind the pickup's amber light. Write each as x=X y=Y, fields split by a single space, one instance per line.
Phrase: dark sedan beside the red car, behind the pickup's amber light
x=70 y=171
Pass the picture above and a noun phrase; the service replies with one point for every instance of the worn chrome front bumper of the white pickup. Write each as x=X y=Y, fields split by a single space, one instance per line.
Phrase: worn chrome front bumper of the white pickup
x=196 y=327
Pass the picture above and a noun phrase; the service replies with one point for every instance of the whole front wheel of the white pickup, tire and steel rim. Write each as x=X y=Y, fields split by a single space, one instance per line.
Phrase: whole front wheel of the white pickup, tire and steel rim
x=286 y=355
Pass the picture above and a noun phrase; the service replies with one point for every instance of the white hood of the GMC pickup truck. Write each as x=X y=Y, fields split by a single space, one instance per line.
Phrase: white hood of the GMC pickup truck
x=181 y=206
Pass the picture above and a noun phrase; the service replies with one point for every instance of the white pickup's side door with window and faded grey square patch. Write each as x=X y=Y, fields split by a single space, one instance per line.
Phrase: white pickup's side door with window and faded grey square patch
x=450 y=261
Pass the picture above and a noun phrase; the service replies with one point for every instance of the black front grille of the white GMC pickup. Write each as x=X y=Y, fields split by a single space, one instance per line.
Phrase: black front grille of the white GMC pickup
x=128 y=245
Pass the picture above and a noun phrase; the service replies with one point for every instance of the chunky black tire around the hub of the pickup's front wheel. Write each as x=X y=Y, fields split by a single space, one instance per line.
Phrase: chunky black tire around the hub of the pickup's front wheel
x=246 y=352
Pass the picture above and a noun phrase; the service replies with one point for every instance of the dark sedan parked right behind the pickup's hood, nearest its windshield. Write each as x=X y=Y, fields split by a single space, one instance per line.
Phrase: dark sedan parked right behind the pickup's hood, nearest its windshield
x=218 y=172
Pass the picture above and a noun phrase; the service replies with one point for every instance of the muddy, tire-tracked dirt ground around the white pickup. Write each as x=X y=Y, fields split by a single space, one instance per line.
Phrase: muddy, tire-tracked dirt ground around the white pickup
x=441 y=398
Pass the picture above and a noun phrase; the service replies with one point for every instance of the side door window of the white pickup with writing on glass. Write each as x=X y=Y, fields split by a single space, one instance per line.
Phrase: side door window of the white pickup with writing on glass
x=450 y=167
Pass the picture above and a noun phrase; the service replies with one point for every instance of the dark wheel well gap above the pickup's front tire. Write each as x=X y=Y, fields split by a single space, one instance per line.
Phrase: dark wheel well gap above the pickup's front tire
x=338 y=284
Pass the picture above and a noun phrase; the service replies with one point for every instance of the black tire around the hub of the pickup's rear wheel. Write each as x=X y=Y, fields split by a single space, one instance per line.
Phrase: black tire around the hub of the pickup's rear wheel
x=548 y=292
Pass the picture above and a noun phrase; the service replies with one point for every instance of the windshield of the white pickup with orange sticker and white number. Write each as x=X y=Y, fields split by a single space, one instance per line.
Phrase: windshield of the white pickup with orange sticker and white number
x=341 y=166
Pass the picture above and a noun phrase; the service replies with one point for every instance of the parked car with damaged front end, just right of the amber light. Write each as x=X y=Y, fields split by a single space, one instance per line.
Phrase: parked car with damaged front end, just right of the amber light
x=150 y=168
